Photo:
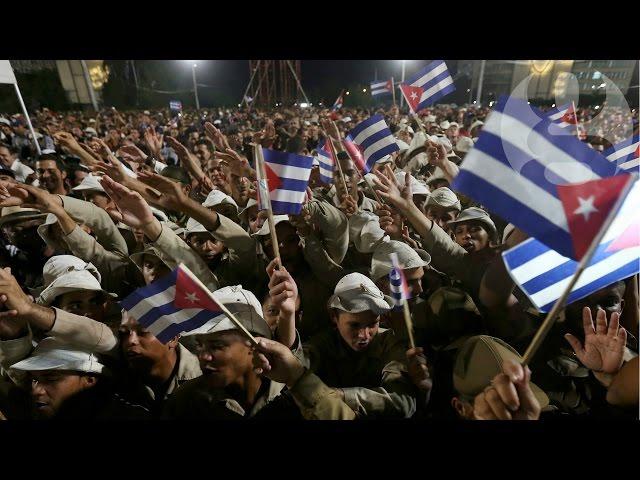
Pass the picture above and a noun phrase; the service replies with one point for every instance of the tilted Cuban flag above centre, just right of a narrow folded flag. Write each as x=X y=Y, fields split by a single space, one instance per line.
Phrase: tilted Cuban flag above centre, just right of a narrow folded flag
x=373 y=140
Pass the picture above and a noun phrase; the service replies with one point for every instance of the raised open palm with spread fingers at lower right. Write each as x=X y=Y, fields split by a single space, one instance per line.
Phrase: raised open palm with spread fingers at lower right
x=603 y=348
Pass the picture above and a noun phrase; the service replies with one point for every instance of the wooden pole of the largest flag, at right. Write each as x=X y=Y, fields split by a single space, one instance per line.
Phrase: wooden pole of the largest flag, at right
x=588 y=256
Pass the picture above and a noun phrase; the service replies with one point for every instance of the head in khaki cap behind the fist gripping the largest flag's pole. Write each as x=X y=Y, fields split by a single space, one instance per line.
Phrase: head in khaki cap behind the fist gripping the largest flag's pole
x=477 y=362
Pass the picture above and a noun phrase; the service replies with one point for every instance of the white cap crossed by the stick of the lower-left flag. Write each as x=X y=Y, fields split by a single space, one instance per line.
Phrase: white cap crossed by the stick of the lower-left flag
x=244 y=305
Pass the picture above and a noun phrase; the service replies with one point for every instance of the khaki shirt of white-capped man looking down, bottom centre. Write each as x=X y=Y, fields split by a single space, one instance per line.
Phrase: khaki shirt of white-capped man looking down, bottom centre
x=375 y=382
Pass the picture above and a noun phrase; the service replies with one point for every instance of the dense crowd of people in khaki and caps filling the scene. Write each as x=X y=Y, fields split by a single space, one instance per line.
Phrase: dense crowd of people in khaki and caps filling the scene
x=117 y=200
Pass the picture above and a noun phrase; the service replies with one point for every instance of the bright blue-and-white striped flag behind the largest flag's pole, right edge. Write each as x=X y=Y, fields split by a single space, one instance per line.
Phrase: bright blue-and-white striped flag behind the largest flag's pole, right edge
x=543 y=274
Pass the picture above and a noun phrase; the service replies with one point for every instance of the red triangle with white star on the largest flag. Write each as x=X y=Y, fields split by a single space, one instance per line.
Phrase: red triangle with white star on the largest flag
x=587 y=205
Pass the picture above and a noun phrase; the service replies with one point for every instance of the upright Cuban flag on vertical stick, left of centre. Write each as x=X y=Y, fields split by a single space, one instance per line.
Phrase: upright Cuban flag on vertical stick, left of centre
x=287 y=180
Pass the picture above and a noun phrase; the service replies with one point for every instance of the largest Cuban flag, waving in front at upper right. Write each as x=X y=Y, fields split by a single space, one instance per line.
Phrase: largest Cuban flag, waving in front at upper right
x=521 y=167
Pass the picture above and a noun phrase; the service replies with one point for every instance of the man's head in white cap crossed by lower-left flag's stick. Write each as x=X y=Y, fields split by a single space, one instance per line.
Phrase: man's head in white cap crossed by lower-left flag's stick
x=225 y=358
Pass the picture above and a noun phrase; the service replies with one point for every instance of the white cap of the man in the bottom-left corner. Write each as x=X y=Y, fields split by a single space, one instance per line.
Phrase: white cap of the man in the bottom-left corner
x=53 y=354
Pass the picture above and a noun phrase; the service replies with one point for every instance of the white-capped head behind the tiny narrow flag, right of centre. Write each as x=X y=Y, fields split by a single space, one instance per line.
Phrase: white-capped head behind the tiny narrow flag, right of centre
x=414 y=265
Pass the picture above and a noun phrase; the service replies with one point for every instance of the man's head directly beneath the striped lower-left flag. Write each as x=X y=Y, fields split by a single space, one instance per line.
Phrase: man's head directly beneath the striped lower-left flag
x=143 y=352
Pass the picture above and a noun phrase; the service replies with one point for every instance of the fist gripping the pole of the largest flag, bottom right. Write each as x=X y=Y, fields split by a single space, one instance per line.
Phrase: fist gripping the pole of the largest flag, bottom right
x=509 y=397
